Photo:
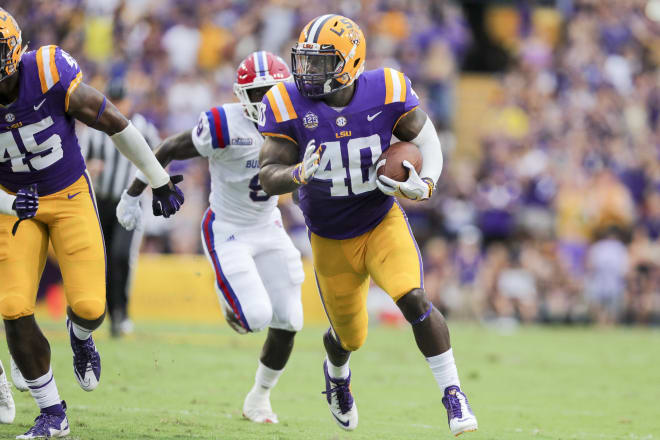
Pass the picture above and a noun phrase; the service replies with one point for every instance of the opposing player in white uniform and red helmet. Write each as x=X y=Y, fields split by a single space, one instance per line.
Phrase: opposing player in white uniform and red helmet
x=258 y=269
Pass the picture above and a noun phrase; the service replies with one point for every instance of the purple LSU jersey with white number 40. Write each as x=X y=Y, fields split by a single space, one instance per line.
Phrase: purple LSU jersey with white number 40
x=342 y=200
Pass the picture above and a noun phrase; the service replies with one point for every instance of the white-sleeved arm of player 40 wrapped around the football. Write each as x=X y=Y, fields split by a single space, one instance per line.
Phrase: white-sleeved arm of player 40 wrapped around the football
x=416 y=127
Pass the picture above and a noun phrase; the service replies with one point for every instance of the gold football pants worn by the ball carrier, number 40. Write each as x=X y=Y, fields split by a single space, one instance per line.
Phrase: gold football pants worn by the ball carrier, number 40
x=388 y=254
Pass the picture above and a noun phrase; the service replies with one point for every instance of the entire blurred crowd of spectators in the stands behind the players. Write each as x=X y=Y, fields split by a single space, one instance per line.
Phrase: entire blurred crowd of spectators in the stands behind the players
x=557 y=217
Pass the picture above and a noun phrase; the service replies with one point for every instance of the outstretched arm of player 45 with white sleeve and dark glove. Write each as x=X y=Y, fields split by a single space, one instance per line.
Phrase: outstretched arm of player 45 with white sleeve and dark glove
x=91 y=107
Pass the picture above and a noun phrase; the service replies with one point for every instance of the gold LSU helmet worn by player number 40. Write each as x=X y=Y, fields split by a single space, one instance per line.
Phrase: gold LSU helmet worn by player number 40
x=329 y=55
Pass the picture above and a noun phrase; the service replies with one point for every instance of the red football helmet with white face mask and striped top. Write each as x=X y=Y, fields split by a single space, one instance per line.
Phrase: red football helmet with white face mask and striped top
x=255 y=76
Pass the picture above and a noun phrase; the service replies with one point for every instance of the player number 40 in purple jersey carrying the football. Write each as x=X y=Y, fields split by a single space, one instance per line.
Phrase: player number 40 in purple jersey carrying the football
x=324 y=135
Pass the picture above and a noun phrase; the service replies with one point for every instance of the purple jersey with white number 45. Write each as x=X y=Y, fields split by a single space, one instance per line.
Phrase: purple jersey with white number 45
x=38 y=143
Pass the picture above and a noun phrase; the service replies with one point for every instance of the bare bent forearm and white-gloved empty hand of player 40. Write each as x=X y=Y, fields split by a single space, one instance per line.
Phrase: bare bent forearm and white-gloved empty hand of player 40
x=281 y=172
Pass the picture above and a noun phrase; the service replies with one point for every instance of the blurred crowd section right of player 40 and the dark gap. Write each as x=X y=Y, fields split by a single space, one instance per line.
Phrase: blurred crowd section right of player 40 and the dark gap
x=559 y=219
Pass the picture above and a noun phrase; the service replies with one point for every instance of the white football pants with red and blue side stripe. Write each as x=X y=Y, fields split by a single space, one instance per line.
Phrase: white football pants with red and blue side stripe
x=258 y=273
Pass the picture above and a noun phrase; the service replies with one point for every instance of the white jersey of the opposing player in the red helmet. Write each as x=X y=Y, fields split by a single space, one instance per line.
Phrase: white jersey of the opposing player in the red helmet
x=231 y=142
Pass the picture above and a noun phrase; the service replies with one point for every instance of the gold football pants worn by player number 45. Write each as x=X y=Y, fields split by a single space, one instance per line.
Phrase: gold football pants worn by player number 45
x=69 y=219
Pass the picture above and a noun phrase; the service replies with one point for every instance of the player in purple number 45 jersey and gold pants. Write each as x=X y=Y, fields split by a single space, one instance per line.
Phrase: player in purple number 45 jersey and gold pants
x=46 y=196
